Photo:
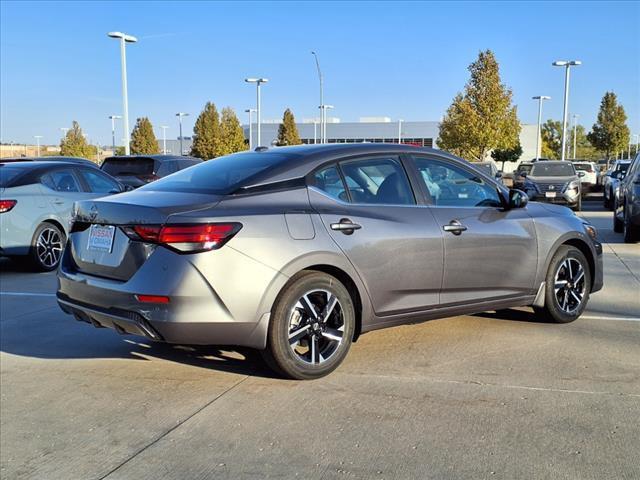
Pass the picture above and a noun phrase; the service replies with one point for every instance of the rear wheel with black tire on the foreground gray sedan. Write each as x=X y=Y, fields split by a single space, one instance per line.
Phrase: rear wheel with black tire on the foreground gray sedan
x=298 y=360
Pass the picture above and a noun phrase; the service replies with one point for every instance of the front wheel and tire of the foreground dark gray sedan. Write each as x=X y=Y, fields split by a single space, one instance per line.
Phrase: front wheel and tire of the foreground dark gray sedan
x=558 y=306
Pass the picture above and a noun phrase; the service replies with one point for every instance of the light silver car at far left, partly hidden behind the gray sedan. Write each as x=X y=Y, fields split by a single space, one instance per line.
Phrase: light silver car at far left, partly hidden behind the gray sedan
x=36 y=202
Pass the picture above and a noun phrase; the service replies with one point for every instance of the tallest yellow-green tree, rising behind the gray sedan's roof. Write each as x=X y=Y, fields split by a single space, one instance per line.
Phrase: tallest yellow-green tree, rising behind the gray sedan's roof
x=482 y=118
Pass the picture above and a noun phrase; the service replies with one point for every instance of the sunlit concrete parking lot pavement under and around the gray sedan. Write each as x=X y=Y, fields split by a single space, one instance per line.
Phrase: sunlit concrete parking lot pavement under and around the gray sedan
x=494 y=395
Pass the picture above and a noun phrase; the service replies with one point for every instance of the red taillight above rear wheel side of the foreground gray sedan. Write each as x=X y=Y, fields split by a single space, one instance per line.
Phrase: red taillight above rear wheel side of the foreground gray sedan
x=185 y=238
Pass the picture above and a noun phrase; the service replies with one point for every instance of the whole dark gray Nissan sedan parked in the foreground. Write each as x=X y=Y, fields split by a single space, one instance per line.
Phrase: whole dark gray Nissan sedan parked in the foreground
x=297 y=251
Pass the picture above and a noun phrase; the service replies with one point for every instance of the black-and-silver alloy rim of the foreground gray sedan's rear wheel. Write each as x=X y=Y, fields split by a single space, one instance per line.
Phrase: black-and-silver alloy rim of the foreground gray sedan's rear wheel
x=316 y=327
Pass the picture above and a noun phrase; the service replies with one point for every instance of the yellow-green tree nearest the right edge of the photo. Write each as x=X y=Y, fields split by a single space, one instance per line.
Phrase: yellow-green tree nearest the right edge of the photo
x=610 y=133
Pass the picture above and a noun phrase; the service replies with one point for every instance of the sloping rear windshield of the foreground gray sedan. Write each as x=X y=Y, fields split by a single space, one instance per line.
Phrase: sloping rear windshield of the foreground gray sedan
x=221 y=175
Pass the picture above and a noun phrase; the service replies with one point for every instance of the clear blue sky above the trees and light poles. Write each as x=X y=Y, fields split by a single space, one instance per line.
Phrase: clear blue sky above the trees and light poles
x=395 y=59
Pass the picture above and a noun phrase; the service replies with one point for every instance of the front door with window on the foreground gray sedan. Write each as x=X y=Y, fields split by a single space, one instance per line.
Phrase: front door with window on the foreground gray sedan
x=489 y=252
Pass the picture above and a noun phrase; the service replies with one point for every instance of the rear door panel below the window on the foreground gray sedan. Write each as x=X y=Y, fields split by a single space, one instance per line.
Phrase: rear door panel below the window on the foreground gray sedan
x=396 y=249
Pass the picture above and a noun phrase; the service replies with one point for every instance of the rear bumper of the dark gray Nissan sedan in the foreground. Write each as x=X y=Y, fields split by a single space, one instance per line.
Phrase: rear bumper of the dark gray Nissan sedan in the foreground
x=204 y=308
